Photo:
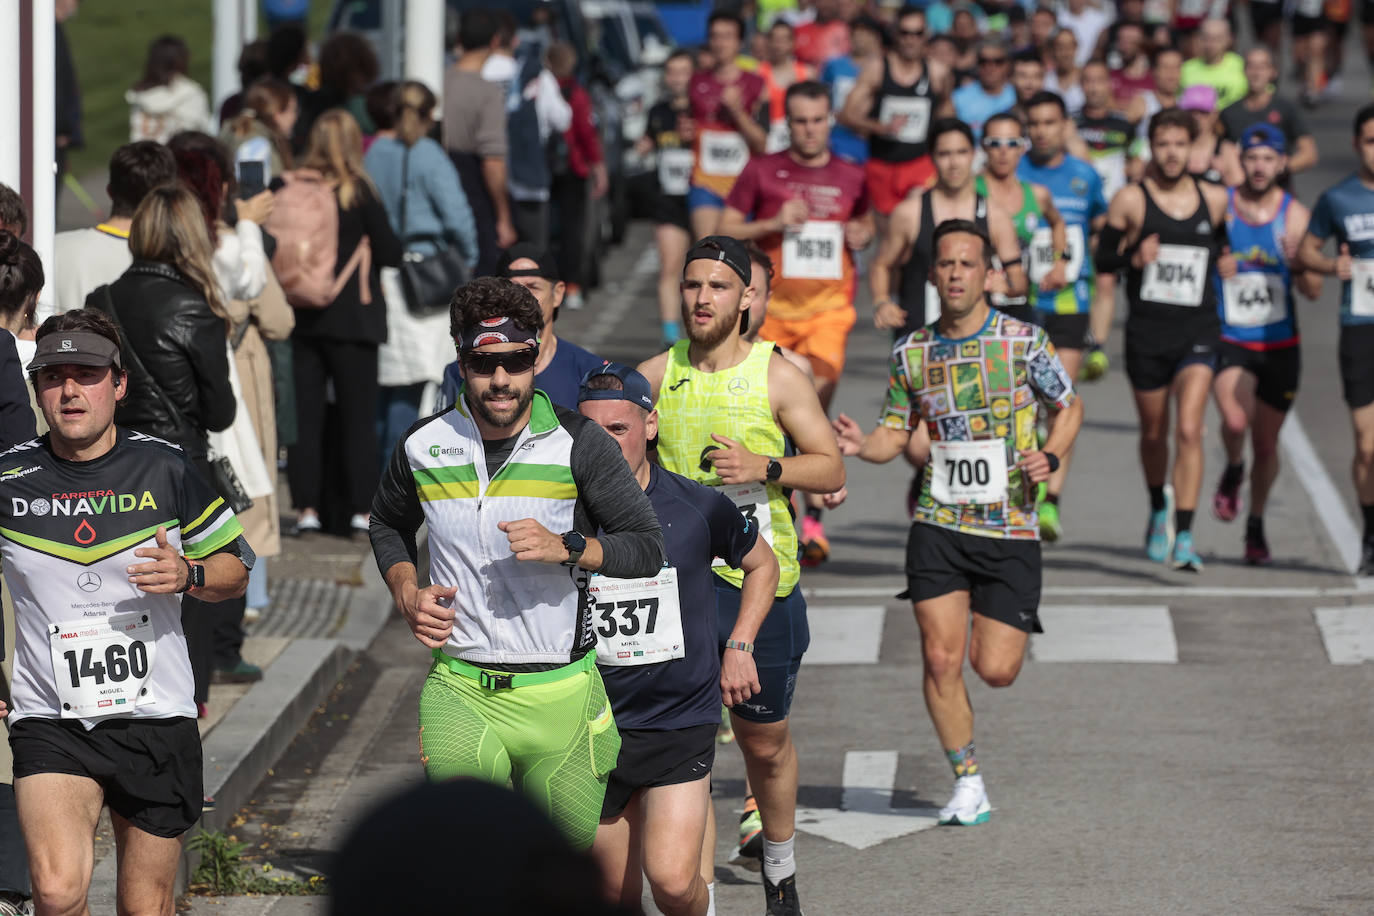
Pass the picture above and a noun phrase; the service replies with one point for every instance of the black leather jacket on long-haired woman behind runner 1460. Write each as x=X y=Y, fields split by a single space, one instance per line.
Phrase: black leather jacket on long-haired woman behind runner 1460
x=181 y=344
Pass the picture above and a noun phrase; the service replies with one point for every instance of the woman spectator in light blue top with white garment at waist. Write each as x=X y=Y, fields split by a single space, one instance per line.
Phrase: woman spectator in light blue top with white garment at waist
x=436 y=216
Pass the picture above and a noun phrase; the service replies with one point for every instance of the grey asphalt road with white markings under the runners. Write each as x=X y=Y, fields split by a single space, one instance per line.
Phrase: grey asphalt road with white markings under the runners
x=1177 y=744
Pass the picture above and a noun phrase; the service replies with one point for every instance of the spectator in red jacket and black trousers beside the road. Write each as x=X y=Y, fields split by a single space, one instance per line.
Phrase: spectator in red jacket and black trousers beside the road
x=579 y=174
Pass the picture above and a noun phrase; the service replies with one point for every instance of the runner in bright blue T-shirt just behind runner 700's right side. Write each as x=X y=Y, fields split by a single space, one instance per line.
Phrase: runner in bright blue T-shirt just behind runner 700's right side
x=1066 y=312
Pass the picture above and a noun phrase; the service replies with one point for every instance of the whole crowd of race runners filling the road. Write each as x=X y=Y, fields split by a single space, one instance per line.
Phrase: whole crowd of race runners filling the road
x=594 y=602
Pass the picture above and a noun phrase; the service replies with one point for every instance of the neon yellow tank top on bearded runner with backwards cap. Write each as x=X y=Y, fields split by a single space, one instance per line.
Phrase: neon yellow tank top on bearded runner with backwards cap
x=730 y=403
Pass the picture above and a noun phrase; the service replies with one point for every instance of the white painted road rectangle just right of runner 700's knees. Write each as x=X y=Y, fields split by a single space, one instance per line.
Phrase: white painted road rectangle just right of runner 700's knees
x=1105 y=634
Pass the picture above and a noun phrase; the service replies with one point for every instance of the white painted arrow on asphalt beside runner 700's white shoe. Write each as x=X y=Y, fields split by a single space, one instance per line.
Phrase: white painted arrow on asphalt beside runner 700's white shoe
x=866 y=816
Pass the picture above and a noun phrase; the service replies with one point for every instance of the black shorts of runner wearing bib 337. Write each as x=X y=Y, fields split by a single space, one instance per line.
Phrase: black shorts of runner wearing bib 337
x=659 y=757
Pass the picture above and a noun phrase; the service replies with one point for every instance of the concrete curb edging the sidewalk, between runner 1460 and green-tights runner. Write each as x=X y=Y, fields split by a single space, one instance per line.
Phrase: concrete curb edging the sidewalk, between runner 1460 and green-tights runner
x=254 y=735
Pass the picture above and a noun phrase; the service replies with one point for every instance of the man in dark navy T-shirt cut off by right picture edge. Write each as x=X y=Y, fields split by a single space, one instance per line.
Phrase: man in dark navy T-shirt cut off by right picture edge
x=1346 y=212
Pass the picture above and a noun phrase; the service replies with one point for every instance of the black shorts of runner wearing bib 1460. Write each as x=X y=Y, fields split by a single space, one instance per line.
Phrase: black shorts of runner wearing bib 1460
x=149 y=768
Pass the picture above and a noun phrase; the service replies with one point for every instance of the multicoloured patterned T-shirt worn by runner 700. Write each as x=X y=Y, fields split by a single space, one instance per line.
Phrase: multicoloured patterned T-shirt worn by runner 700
x=984 y=388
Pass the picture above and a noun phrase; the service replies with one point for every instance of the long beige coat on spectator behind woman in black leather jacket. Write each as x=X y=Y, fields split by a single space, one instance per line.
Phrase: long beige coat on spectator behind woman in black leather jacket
x=269 y=318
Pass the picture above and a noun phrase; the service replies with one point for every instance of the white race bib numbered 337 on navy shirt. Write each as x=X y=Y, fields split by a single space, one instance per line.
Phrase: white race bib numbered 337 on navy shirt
x=638 y=621
